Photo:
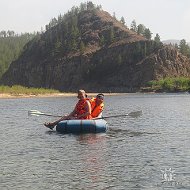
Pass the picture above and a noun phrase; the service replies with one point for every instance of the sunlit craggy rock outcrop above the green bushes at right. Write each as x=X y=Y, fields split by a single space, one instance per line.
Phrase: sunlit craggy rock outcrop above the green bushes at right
x=165 y=62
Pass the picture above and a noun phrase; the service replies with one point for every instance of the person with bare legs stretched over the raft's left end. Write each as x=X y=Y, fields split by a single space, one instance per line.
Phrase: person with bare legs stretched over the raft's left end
x=82 y=110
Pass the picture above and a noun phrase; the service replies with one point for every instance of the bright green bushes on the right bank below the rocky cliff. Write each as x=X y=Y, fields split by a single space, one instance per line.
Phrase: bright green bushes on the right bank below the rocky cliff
x=180 y=84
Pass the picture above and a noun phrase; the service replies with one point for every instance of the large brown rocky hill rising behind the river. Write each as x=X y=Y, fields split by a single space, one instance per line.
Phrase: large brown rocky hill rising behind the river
x=94 y=51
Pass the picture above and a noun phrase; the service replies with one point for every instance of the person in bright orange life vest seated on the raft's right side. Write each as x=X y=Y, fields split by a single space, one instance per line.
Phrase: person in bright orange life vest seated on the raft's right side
x=97 y=105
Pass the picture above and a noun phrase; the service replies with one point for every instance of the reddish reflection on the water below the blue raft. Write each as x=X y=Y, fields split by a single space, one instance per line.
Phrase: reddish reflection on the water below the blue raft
x=92 y=158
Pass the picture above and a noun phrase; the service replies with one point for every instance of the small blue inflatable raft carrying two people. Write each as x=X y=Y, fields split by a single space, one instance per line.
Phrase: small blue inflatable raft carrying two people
x=82 y=126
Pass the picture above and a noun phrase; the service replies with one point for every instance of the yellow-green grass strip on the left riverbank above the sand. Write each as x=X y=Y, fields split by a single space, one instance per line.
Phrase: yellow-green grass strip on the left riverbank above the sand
x=17 y=89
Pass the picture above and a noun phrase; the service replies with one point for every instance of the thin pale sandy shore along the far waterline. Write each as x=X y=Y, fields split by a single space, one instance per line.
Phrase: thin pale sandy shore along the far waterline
x=6 y=96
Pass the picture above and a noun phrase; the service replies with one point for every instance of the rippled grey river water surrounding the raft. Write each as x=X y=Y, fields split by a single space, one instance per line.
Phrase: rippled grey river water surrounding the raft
x=148 y=152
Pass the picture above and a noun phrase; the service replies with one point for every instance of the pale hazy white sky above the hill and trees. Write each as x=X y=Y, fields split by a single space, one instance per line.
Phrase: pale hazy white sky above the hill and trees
x=169 y=18
